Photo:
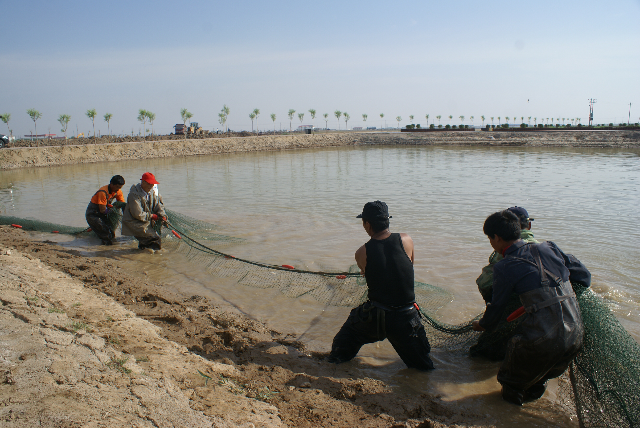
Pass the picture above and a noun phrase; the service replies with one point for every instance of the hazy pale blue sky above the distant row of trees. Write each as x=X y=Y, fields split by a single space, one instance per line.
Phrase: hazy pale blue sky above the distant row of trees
x=542 y=59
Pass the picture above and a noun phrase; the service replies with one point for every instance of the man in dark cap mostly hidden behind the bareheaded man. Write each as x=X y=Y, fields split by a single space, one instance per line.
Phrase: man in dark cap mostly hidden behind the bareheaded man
x=493 y=344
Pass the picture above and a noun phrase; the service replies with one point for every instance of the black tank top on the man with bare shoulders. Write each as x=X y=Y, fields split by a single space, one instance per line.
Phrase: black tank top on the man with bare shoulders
x=389 y=272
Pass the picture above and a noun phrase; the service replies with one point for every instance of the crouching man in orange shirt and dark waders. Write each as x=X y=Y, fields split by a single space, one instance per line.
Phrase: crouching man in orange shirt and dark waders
x=98 y=210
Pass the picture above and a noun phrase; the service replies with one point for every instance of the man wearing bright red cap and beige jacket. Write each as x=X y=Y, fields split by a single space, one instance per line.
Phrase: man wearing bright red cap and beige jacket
x=144 y=208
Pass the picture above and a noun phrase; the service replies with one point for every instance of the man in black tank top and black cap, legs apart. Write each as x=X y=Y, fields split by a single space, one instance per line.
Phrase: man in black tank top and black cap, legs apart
x=391 y=312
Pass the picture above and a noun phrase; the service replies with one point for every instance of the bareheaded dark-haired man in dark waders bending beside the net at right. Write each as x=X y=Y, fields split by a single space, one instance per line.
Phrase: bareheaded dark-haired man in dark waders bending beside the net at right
x=550 y=334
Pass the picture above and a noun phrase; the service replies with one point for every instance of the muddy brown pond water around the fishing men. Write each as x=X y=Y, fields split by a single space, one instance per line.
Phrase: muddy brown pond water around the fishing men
x=299 y=208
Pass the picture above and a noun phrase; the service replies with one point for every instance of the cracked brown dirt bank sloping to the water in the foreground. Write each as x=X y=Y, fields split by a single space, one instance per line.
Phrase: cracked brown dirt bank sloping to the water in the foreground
x=85 y=343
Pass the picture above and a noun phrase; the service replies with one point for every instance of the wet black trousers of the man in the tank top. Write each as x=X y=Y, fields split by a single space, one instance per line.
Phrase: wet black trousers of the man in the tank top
x=369 y=324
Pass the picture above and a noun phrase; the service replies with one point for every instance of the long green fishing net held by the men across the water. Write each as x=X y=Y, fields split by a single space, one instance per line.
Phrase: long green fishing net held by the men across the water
x=604 y=379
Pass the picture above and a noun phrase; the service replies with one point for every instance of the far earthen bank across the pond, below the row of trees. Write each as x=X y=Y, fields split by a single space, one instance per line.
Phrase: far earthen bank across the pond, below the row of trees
x=20 y=157
